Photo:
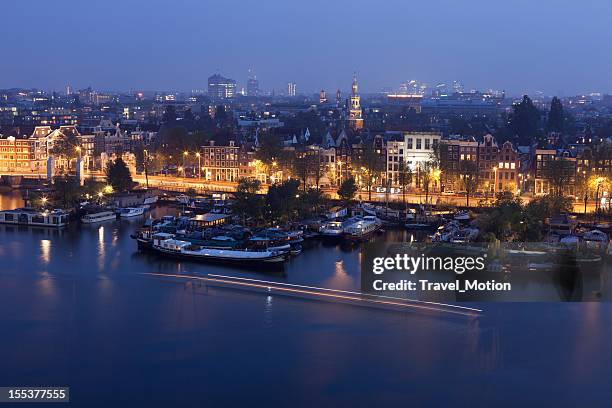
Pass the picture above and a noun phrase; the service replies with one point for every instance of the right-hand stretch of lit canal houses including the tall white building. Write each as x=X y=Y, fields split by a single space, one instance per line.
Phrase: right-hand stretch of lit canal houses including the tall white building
x=500 y=166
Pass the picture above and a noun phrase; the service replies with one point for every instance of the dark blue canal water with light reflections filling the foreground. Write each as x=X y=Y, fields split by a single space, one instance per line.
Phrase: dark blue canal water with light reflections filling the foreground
x=76 y=310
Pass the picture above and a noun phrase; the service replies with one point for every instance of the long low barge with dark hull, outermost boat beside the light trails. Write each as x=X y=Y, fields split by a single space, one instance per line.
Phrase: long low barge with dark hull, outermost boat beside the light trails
x=165 y=244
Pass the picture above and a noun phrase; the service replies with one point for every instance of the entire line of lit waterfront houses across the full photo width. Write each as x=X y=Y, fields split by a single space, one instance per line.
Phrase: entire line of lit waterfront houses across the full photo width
x=501 y=166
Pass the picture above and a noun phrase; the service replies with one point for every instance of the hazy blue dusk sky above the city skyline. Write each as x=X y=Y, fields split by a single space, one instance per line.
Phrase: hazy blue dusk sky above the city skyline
x=557 y=46
